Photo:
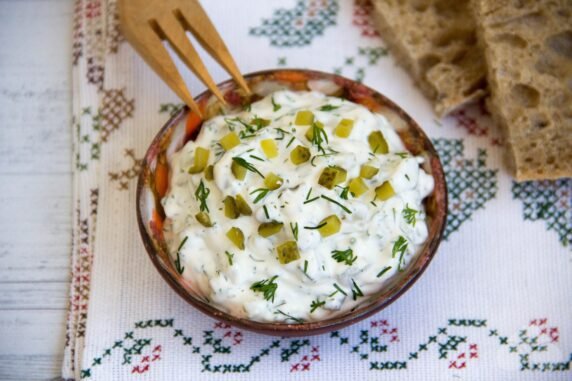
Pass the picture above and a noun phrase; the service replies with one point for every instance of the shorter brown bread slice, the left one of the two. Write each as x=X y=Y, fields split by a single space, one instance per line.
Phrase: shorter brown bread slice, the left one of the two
x=435 y=41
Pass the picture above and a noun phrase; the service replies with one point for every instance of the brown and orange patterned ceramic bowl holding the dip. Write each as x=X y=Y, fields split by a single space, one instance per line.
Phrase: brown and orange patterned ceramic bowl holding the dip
x=184 y=126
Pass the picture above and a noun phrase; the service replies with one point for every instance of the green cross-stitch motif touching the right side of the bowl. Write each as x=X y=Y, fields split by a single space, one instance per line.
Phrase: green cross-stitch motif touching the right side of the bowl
x=470 y=183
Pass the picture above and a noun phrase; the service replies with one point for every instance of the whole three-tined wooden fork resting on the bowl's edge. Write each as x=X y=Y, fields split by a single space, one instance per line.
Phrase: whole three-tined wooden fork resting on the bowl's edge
x=146 y=23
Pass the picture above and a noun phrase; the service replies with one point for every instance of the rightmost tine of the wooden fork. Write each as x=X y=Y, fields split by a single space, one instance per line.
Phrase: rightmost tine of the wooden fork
x=195 y=19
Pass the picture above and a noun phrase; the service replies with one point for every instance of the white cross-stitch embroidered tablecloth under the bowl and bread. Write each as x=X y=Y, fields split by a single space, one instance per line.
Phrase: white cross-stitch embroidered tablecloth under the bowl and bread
x=495 y=304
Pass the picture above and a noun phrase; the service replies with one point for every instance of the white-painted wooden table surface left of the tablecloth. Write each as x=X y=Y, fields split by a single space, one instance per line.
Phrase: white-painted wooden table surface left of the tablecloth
x=35 y=175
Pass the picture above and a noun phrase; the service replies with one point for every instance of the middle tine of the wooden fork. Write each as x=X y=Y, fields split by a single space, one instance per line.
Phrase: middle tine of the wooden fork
x=174 y=33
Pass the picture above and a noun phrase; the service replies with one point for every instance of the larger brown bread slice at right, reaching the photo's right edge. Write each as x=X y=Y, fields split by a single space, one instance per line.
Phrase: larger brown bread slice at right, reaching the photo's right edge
x=528 y=50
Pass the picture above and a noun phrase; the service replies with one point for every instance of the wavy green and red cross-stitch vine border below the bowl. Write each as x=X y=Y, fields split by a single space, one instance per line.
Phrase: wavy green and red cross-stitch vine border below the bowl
x=138 y=350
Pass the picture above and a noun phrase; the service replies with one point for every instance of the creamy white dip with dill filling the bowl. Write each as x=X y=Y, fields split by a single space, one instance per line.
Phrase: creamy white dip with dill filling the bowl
x=333 y=273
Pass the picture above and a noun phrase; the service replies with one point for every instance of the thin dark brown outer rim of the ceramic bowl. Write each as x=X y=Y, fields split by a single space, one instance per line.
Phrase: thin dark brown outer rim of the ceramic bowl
x=322 y=326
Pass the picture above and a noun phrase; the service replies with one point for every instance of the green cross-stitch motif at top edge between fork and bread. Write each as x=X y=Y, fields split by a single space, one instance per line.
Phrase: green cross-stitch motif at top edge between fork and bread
x=300 y=25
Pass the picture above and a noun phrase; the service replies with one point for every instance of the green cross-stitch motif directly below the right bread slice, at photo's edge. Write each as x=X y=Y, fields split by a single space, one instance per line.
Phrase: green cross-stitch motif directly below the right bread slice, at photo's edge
x=550 y=201
